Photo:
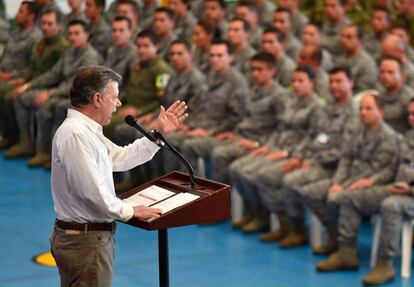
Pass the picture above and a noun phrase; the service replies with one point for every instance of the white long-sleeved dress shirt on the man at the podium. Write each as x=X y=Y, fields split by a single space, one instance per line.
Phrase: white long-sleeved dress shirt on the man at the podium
x=83 y=160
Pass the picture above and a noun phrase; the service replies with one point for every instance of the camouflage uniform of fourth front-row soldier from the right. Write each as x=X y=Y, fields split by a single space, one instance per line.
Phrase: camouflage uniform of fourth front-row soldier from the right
x=258 y=180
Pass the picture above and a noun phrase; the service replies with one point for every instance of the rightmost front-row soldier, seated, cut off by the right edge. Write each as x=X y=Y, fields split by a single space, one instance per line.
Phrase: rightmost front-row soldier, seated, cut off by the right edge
x=394 y=200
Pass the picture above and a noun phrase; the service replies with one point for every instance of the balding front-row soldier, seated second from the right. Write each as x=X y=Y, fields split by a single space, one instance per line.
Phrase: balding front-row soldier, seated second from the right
x=370 y=160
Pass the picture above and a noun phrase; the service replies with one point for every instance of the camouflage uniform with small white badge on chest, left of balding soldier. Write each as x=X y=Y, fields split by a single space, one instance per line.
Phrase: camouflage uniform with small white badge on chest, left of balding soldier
x=334 y=135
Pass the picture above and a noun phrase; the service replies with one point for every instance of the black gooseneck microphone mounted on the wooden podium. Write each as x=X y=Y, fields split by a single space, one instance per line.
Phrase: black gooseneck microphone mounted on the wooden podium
x=159 y=139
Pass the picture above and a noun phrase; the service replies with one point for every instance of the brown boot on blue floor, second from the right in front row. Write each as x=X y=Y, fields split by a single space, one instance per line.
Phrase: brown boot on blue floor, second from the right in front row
x=345 y=258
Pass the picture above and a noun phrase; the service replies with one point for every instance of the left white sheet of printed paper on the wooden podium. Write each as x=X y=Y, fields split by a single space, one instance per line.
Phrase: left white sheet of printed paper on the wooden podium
x=148 y=196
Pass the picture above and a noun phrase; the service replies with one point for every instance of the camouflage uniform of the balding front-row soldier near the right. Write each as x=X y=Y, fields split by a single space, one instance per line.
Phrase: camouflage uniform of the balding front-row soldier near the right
x=372 y=155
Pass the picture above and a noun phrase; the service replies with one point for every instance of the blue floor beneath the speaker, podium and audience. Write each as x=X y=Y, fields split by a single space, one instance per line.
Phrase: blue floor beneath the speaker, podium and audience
x=214 y=255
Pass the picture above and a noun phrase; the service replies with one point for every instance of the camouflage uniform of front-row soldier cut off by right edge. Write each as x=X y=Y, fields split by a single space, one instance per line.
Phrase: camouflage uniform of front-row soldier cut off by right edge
x=367 y=202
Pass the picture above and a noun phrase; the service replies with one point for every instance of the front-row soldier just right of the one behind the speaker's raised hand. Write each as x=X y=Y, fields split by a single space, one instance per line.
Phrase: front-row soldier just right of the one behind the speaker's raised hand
x=225 y=104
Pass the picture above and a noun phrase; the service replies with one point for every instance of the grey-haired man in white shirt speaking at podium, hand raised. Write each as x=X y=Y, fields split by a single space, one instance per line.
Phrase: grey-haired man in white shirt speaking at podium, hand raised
x=83 y=160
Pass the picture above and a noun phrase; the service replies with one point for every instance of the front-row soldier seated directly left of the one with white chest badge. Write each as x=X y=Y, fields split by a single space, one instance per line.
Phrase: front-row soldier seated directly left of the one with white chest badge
x=257 y=176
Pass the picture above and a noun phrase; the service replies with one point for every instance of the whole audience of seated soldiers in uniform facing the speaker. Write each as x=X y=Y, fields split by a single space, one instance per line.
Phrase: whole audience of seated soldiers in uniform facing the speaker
x=295 y=105
